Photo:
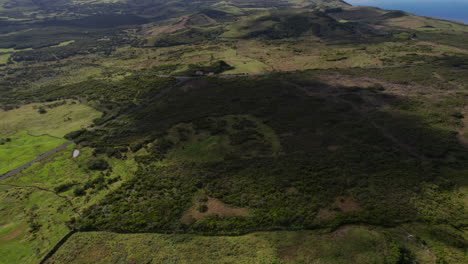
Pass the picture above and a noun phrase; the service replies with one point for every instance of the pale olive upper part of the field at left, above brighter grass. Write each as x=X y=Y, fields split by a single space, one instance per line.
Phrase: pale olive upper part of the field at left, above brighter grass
x=59 y=118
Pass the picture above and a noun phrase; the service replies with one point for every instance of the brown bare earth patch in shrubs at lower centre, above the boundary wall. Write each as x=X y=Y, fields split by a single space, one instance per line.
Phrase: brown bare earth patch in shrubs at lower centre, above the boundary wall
x=215 y=207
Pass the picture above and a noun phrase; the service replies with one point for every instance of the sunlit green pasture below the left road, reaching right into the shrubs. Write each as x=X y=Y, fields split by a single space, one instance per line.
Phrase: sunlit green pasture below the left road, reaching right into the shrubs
x=33 y=216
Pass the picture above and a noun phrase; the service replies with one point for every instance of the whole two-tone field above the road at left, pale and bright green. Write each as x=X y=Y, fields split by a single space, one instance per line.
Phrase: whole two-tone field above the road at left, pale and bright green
x=26 y=133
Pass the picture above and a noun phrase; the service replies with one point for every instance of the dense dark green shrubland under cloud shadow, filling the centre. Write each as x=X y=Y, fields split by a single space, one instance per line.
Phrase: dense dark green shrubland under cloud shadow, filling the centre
x=306 y=173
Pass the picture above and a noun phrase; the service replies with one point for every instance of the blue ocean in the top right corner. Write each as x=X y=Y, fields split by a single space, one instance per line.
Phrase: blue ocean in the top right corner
x=456 y=10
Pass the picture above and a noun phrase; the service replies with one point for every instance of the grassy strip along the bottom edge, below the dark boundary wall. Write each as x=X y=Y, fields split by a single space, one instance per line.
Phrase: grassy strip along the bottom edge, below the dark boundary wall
x=349 y=244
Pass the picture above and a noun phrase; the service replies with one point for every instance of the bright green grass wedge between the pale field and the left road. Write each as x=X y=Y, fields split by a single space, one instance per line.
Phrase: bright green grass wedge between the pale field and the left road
x=23 y=148
